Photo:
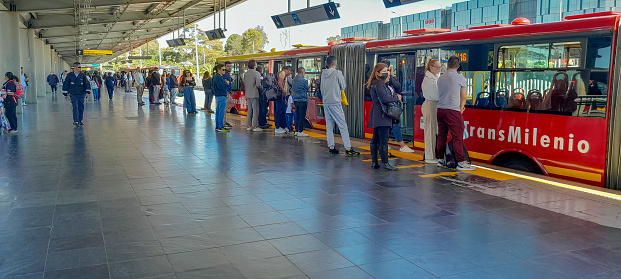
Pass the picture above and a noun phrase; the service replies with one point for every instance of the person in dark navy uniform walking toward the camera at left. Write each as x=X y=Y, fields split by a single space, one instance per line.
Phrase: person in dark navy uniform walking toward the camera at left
x=77 y=87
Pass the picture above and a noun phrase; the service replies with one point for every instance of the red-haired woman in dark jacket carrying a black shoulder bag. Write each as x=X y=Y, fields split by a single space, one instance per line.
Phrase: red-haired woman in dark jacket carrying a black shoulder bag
x=380 y=123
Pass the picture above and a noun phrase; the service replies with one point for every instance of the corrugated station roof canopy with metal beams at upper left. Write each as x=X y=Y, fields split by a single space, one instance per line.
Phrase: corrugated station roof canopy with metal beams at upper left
x=117 y=25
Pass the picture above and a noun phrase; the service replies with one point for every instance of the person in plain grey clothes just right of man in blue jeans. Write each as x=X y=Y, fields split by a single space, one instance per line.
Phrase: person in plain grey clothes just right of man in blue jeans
x=252 y=84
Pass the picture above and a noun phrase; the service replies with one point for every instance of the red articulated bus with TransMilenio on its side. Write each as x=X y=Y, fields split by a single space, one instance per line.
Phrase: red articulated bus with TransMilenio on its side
x=541 y=97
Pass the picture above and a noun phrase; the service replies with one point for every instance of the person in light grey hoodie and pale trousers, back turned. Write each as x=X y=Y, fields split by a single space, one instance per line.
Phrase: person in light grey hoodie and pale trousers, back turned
x=332 y=82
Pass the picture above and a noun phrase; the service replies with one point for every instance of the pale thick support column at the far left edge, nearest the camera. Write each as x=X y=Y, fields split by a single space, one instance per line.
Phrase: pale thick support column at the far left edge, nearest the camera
x=10 y=54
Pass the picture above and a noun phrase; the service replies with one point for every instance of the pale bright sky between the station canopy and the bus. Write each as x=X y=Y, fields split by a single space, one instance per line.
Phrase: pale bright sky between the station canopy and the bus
x=258 y=12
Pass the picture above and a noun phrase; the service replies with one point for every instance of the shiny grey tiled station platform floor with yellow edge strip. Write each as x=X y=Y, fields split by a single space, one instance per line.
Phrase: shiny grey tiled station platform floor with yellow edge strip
x=150 y=192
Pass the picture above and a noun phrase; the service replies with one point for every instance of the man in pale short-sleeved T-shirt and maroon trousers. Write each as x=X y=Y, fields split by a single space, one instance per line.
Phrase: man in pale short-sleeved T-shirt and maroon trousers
x=453 y=91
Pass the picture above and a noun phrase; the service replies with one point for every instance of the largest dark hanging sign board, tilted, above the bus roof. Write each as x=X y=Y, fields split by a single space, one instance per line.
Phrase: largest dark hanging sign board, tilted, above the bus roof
x=319 y=13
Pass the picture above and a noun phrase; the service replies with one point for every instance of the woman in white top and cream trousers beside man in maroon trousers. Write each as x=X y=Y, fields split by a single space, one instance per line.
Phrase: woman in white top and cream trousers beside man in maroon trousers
x=430 y=108
